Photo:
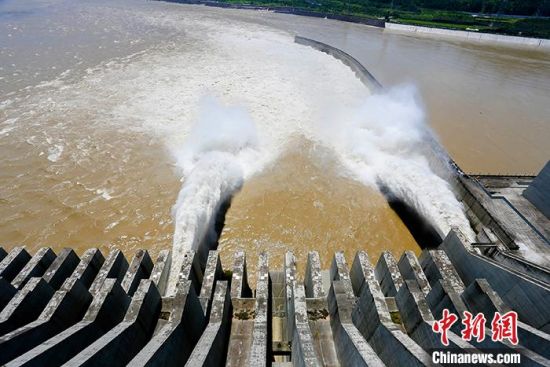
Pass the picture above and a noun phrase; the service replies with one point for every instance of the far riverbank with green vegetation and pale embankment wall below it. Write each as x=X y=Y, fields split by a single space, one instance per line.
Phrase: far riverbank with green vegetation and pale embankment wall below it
x=500 y=29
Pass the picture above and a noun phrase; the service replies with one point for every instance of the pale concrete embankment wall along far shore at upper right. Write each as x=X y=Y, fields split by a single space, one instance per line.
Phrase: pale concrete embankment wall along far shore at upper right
x=538 y=43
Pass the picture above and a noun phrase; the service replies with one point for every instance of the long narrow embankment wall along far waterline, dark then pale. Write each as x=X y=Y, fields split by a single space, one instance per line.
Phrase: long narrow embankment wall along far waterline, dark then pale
x=505 y=39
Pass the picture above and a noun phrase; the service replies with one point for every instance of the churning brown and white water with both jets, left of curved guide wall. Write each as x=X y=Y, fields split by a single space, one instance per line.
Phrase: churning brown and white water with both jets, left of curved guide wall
x=130 y=123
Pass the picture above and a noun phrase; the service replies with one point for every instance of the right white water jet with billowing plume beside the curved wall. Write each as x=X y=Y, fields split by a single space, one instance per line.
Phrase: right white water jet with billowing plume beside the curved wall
x=386 y=141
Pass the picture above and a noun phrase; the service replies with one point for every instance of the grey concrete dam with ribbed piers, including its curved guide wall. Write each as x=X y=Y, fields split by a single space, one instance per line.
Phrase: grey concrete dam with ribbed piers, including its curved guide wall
x=114 y=309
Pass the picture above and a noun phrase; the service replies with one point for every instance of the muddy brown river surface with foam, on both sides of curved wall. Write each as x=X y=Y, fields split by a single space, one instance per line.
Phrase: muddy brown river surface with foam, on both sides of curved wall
x=100 y=100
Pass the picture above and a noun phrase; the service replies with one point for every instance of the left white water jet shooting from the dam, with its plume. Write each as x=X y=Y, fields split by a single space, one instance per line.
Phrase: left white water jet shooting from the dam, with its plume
x=218 y=154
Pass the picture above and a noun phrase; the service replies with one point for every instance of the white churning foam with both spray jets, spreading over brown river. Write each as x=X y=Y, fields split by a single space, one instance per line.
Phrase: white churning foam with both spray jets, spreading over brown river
x=265 y=90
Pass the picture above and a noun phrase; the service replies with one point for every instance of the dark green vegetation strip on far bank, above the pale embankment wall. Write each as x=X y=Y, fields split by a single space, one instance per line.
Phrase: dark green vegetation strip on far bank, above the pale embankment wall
x=529 y=18
